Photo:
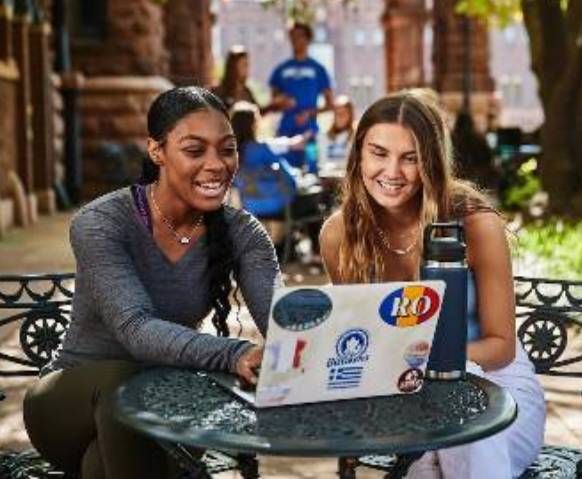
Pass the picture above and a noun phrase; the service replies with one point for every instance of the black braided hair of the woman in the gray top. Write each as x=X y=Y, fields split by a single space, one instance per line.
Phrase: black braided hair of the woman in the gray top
x=164 y=113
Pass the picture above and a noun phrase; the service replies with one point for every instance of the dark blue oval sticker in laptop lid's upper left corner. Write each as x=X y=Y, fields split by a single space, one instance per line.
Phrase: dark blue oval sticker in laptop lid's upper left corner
x=302 y=309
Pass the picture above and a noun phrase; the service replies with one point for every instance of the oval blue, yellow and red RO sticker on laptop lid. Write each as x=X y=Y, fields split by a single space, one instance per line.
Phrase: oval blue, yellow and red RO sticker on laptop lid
x=409 y=306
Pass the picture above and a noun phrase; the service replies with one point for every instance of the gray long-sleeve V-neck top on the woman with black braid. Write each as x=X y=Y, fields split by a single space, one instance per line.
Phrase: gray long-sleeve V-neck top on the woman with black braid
x=131 y=302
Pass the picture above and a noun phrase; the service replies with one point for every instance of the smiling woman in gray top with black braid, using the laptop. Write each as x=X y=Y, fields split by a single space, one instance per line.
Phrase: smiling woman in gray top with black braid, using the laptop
x=153 y=260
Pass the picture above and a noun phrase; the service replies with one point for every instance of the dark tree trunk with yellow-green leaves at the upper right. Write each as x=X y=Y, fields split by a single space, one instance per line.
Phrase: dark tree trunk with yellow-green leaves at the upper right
x=555 y=33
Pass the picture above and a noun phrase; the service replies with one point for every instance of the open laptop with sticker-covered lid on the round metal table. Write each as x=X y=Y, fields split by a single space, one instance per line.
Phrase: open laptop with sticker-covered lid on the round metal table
x=333 y=342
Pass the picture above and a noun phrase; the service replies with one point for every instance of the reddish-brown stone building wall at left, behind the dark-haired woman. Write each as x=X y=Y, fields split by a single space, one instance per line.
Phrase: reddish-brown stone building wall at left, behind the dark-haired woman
x=121 y=54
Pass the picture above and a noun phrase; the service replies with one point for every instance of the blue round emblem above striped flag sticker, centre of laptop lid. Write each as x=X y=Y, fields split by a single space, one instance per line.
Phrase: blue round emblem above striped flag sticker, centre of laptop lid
x=346 y=369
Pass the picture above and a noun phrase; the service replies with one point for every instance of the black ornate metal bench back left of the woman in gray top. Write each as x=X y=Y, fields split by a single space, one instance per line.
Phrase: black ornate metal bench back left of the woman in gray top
x=41 y=304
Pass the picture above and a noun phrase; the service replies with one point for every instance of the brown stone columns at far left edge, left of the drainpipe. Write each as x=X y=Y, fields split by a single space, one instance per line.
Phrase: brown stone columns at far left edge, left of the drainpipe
x=27 y=100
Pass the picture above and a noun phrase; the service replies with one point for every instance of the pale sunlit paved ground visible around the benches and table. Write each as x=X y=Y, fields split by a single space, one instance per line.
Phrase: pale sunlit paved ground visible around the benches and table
x=44 y=248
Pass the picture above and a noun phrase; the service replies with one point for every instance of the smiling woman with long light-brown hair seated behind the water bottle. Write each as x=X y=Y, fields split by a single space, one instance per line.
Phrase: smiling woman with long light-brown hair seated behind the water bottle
x=399 y=180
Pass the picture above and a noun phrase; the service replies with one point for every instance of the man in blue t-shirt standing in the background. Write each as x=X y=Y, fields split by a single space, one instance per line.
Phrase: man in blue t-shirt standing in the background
x=296 y=85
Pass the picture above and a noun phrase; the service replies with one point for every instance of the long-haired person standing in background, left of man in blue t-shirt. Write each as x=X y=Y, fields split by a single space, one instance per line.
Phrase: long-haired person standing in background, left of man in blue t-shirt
x=233 y=85
